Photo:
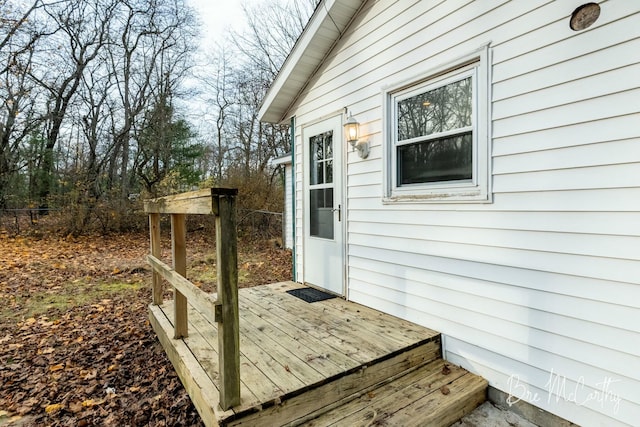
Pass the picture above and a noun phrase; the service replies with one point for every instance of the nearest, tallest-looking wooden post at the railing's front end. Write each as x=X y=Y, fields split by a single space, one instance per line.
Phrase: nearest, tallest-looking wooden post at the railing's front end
x=227 y=306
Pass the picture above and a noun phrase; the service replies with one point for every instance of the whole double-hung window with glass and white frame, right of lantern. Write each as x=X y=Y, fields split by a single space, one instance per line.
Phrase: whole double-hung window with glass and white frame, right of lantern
x=437 y=130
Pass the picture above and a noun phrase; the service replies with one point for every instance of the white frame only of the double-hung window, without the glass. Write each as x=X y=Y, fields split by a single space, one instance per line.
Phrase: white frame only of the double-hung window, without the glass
x=478 y=188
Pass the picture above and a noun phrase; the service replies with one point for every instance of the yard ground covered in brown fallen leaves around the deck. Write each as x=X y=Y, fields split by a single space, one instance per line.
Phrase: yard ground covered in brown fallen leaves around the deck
x=76 y=347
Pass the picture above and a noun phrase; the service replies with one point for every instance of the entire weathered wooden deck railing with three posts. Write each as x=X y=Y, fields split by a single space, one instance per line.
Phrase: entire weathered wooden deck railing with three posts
x=224 y=311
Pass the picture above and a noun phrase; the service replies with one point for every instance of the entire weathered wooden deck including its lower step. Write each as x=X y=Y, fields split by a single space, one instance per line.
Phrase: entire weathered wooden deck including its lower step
x=331 y=362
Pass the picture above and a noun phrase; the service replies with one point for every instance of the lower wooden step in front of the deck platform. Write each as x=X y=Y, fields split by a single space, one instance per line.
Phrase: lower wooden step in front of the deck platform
x=436 y=394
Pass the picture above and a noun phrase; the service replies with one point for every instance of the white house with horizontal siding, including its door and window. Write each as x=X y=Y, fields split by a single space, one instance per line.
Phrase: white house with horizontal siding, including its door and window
x=499 y=202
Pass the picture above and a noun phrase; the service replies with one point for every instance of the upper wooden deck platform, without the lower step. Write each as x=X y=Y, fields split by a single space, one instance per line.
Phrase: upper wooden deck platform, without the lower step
x=296 y=357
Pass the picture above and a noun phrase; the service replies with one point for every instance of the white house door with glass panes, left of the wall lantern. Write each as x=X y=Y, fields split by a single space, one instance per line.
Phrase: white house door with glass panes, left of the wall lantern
x=323 y=205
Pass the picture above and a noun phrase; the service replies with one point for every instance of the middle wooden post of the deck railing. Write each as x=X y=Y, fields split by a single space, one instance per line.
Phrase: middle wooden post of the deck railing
x=179 y=255
